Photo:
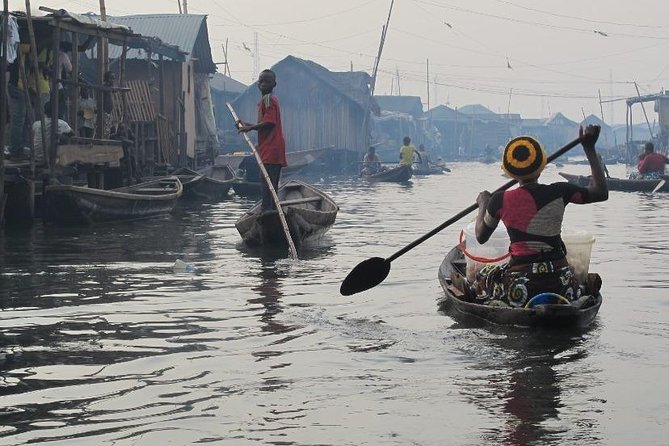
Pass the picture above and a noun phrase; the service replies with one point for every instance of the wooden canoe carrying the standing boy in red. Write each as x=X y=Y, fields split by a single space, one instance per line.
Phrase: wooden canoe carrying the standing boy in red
x=309 y=213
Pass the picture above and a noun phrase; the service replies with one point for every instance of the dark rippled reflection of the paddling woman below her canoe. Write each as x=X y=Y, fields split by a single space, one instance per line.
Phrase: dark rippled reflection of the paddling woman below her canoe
x=523 y=377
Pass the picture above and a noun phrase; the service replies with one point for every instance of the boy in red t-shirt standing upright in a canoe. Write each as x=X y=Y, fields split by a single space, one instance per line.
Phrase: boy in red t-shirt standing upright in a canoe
x=271 y=144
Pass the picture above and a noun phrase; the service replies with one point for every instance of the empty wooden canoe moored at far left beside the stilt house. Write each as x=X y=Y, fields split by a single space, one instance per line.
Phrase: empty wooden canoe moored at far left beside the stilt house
x=84 y=205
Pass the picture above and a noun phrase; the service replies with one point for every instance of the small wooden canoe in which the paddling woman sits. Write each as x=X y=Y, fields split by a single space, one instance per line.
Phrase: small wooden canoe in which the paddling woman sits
x=460 y=302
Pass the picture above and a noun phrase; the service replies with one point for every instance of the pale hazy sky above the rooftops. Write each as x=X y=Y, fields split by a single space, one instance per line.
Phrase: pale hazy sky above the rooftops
x=525 y=56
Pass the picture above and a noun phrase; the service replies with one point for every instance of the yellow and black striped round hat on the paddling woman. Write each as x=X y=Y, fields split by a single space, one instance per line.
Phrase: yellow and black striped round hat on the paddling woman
x=524 y=158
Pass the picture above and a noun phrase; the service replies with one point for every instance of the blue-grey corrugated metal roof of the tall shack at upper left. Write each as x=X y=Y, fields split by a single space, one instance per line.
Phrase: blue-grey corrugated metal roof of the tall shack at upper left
x=187 y=31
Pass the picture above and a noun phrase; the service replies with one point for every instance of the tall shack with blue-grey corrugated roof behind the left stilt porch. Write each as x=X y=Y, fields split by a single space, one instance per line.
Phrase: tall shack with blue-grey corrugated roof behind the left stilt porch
x=179 y=91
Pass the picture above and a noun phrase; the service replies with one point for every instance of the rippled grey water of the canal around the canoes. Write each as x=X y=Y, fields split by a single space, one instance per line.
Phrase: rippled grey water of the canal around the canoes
x=102 y=342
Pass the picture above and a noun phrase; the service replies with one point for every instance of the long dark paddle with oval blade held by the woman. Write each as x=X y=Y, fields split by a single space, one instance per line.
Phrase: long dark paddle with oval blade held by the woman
x=371 y=272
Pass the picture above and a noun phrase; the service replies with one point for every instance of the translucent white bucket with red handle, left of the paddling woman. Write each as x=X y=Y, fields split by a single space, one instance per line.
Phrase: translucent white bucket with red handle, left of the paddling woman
x=493 y=252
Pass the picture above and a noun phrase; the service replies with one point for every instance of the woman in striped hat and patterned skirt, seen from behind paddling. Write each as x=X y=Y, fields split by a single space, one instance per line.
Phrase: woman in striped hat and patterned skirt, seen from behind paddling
x=532 y=214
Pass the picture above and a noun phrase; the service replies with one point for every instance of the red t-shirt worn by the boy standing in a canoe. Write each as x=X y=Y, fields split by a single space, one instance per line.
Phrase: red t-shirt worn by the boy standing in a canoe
x=271 y=145
